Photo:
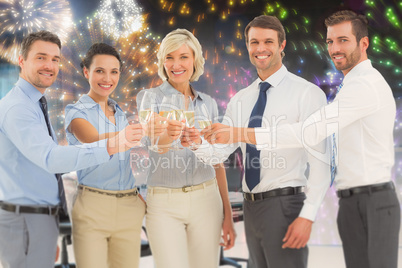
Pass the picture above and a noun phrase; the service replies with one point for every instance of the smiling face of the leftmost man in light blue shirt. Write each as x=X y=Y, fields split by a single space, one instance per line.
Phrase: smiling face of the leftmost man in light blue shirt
x=41 y=66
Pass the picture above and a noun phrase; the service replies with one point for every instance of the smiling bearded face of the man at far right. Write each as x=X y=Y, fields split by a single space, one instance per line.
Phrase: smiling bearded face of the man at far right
x=343 y=47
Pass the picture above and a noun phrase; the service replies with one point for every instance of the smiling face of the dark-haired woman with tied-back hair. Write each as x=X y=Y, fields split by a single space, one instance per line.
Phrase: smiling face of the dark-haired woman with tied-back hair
x=103 y=76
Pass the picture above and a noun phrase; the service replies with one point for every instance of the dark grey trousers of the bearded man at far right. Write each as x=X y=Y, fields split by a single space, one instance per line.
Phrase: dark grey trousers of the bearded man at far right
x=369 y=228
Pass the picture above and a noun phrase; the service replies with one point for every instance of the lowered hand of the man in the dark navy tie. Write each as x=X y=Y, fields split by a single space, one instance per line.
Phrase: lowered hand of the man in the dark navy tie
x=298 y=233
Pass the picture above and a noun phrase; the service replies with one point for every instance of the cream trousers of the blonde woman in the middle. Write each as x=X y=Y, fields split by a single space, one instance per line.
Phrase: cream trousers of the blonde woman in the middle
x=184 y=228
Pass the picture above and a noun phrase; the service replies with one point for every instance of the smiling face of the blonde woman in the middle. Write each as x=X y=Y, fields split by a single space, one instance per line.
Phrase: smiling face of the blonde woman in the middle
x=179 y=66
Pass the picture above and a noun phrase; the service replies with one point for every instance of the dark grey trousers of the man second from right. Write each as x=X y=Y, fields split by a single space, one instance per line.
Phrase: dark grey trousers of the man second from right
x=266 y=222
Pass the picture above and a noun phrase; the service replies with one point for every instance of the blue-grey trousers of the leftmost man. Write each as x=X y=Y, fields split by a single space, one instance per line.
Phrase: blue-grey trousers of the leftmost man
x=27 y=240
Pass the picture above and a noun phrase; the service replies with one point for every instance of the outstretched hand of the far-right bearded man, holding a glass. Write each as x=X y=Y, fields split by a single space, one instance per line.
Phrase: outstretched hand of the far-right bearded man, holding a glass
x=219 y=133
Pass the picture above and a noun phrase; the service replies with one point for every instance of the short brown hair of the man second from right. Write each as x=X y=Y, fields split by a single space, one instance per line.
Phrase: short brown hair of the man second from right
x=267 y=22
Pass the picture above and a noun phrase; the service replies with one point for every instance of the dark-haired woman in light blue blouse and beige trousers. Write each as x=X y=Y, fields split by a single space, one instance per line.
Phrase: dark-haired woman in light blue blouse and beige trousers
x=107 y=214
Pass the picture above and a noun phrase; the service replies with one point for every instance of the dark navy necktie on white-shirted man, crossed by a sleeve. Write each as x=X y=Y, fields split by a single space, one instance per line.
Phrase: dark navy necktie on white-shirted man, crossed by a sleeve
x=252 y=154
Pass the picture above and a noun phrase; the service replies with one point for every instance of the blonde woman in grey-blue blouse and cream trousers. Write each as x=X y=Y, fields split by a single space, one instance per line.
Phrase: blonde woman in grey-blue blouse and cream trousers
x=187 y=201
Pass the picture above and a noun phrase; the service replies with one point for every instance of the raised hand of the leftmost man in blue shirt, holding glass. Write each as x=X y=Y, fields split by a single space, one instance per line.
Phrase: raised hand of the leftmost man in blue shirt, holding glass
x=125 y=139
